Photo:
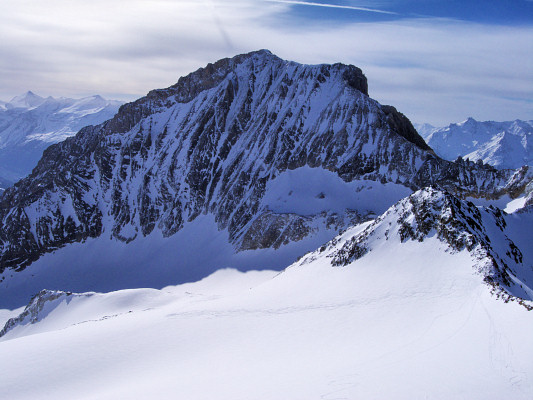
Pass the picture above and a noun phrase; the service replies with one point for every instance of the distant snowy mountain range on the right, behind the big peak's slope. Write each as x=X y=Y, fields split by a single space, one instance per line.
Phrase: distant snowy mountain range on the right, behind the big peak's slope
x=501 y=144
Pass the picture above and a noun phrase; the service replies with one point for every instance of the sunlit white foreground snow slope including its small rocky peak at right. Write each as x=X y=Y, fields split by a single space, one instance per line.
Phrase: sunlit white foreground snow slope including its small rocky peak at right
x=419 y=303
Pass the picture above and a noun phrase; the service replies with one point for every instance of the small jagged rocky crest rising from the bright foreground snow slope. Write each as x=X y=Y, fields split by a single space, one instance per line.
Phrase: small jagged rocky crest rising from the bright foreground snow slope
x=459 y=224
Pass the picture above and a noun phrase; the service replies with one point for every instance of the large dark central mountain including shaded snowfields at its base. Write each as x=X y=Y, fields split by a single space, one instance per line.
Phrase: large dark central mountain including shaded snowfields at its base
x=249 y=162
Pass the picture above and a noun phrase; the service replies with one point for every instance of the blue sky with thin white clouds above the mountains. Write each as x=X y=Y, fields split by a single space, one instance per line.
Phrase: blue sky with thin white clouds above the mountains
x=436 y=61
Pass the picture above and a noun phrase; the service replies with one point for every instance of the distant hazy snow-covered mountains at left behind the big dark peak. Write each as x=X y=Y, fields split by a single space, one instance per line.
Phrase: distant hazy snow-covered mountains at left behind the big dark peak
x=30 y=123
